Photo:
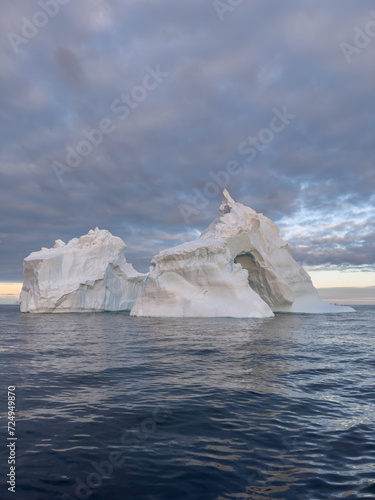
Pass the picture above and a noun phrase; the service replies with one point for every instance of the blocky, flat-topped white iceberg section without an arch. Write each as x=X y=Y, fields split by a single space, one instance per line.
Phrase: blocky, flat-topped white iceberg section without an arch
x=86 y=274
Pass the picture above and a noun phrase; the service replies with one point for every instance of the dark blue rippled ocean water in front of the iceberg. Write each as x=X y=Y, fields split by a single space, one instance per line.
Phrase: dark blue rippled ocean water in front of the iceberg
x=114 y=407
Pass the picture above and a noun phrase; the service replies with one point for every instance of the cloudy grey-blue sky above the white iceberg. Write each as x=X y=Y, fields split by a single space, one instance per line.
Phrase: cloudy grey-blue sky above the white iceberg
x=132 y=115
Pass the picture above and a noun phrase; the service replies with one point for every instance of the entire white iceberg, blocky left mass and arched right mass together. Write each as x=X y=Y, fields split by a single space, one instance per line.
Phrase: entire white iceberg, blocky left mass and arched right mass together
x=239 y=267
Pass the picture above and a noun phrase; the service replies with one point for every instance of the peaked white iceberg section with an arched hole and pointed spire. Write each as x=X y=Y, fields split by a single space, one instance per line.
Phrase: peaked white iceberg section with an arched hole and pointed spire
x=239 y=267
